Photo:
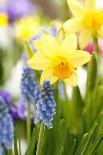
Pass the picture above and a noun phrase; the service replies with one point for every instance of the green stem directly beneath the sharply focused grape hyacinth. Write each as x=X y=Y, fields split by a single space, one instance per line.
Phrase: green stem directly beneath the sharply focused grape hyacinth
x=41 y=135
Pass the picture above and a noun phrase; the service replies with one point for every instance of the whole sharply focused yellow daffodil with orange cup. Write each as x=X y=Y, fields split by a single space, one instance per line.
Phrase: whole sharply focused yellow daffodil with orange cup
x=58 y=59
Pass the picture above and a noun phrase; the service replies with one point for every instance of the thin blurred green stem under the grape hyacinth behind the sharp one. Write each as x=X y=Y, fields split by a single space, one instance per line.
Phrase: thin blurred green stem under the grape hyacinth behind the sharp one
x=28 y=125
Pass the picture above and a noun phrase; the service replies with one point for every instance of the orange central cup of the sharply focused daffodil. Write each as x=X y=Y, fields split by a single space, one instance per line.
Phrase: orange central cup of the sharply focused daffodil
x=63 y=70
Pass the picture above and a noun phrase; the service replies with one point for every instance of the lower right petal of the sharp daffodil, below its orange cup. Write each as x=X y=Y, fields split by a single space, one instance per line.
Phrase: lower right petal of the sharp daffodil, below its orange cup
x=73 y=80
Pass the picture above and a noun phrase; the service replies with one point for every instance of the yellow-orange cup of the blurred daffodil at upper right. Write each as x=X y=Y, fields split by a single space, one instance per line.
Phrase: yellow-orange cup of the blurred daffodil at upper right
x=93 y=20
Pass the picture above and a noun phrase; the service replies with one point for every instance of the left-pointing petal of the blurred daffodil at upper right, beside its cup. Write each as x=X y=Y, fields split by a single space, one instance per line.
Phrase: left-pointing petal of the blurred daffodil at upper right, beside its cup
x=73 y=25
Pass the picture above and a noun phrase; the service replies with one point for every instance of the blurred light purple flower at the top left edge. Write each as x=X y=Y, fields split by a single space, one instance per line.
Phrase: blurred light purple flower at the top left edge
x=17 y=8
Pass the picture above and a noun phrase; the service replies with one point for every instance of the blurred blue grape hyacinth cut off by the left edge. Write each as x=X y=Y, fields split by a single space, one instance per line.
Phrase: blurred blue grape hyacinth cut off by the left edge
x=6 y=127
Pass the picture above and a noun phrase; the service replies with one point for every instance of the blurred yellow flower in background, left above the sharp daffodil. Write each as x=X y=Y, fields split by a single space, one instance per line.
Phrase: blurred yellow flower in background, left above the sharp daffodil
x=27 y=27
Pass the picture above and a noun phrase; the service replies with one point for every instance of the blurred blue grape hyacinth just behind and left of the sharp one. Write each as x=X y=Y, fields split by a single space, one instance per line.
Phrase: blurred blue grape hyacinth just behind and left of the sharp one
x=29 y=86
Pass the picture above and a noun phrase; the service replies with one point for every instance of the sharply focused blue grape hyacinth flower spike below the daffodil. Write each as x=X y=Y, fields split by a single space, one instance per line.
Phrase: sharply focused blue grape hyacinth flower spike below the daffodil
x=45 y=107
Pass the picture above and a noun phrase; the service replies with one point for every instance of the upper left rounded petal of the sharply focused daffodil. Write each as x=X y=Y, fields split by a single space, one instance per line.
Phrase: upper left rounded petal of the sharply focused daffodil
x=47 y=44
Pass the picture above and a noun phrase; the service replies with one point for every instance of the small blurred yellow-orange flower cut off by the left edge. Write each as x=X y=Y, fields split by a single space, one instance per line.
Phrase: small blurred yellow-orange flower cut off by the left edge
x=3 y=19
